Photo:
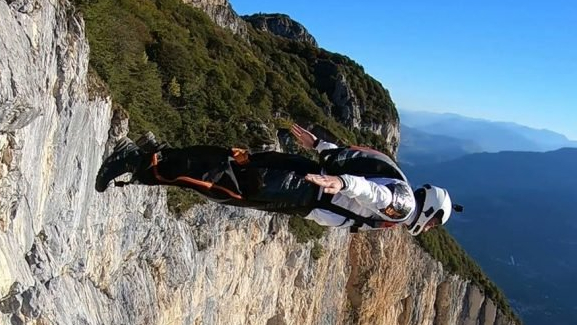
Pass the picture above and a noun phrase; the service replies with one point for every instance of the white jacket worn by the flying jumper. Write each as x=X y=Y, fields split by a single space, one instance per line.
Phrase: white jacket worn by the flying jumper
x=362 y=196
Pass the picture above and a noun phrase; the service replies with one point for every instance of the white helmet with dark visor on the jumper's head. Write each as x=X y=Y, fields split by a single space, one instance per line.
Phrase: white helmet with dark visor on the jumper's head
x=432 y=202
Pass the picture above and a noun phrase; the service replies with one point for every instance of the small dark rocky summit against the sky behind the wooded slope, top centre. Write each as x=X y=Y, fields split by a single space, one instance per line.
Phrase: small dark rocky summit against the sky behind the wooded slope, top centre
x=281 y=25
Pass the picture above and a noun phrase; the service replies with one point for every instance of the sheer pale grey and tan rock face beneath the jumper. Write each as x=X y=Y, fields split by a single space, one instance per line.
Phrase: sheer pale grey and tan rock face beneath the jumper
x=69 y=255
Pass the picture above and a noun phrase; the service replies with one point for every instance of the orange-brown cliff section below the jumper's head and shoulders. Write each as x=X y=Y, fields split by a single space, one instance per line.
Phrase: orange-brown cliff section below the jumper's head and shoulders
x=394 y=282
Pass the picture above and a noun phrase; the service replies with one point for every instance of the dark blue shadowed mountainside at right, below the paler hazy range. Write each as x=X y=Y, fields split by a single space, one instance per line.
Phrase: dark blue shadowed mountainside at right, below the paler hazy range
x=519 y=224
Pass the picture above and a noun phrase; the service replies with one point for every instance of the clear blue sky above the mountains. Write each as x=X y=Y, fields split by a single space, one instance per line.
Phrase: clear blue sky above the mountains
x=502 y=60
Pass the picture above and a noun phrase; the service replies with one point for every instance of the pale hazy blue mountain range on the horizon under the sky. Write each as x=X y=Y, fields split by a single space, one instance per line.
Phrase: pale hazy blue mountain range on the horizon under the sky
x=432 y=137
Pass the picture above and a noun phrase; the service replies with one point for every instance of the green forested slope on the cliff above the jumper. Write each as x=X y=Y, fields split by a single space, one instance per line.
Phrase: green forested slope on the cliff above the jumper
x=190 y=81
